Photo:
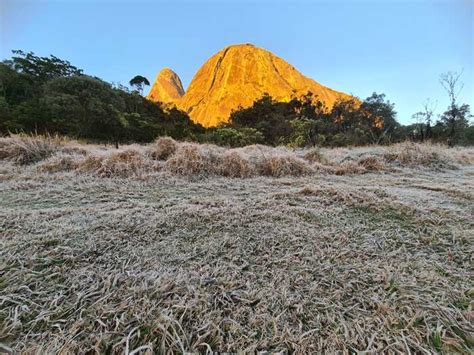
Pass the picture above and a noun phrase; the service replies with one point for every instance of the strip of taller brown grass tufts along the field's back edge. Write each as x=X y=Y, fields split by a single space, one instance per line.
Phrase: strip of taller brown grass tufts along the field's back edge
x=55 y=154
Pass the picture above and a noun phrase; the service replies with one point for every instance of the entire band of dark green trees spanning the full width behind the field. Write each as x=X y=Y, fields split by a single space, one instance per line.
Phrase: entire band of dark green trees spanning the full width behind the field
x=50 y=95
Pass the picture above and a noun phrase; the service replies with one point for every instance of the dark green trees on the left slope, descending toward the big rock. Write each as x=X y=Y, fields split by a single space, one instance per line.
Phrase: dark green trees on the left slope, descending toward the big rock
x=49 y=95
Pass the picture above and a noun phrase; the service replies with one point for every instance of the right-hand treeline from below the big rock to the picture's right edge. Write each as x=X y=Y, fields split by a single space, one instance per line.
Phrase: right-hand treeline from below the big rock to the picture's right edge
x=307 y=122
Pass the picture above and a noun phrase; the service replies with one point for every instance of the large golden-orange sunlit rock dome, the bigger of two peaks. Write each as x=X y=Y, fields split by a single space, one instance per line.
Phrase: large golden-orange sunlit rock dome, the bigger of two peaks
x=237 y=76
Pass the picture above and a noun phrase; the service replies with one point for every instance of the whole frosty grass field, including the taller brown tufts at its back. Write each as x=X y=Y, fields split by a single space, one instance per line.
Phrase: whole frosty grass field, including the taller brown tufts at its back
x=189 y=248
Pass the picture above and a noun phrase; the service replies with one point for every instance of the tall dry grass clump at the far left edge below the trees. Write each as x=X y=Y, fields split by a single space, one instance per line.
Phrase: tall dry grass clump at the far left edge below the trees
x=23 y=149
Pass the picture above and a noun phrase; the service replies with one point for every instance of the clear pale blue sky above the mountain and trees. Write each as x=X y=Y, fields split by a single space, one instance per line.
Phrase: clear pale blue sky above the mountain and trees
x=394 y=47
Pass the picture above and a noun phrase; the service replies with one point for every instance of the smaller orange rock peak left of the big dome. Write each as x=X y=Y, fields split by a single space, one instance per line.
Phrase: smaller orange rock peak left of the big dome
x=167 y=87
